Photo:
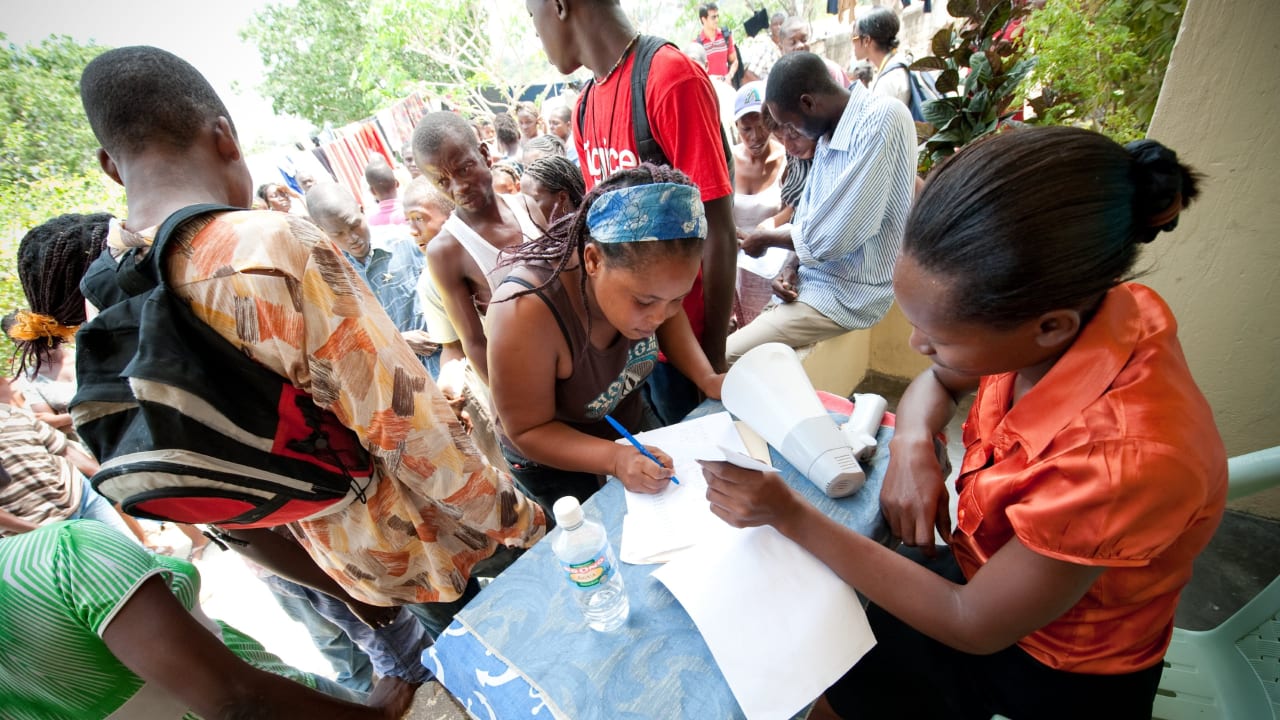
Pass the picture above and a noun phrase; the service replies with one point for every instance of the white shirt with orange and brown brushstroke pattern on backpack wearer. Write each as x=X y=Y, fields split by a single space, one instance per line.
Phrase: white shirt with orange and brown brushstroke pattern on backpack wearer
x=281 y=291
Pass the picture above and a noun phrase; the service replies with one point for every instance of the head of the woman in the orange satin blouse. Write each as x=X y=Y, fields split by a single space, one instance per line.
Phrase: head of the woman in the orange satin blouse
x=1026 y=233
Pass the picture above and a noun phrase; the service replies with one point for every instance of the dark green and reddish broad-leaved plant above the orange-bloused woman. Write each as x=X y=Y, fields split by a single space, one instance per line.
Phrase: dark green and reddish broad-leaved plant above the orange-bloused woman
x=981 y=74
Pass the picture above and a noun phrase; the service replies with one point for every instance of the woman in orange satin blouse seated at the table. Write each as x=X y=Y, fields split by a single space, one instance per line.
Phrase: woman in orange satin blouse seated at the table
x=1094 y=473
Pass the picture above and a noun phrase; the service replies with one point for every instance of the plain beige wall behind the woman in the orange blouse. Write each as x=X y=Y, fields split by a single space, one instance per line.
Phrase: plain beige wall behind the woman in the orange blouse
x=1220 y=271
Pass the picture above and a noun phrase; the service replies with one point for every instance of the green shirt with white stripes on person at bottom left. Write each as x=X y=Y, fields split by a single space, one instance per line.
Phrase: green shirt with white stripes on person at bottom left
x=61 y=587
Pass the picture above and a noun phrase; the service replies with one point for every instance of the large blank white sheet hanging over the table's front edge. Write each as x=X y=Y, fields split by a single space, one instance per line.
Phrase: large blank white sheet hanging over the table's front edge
x=756 y=598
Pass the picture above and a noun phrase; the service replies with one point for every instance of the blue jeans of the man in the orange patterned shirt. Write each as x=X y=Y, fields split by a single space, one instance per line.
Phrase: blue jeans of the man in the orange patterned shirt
x=395 y=651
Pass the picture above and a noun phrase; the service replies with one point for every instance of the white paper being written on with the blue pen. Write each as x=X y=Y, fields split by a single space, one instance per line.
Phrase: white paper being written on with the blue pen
x=657 y=527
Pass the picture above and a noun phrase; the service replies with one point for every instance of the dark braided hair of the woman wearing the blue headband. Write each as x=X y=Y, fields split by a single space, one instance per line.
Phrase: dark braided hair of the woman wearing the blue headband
x=566 y=239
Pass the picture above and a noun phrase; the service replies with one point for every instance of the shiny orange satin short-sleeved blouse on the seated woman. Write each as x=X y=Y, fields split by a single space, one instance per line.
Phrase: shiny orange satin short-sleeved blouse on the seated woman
x=1112 y=461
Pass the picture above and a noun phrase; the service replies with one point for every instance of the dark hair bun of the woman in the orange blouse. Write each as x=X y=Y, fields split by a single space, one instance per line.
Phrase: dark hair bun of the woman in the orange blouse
x=1163 y=189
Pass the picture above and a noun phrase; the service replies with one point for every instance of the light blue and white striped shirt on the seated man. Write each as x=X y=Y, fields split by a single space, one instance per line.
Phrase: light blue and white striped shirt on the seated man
x=848 y=229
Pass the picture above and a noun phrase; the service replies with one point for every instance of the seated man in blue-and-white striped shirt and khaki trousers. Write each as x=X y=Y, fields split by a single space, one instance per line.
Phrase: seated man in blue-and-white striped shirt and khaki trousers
x=848 y=227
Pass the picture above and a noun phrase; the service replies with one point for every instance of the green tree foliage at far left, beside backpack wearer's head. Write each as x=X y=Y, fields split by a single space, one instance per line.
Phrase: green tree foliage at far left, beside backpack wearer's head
x=43 y=126
